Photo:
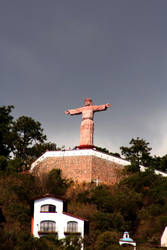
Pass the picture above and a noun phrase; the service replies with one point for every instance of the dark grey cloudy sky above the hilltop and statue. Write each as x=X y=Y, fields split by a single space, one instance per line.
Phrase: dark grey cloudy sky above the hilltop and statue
x=54 y=53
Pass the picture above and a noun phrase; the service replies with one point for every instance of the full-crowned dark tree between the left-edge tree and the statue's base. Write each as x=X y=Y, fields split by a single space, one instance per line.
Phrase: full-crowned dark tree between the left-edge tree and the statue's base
x=27 y=132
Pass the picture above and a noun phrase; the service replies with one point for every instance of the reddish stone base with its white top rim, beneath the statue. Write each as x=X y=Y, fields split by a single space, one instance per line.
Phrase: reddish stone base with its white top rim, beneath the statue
x=84 y=165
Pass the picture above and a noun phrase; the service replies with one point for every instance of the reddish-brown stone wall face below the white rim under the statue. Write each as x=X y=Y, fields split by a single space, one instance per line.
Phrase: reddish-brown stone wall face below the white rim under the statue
x=82 y=168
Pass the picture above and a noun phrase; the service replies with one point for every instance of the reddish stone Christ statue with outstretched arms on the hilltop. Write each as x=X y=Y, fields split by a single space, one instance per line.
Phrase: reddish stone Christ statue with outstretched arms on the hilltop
x=87 y=123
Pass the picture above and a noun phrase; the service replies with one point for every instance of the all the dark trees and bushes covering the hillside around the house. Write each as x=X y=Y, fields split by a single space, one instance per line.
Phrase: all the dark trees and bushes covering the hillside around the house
x=134 y=204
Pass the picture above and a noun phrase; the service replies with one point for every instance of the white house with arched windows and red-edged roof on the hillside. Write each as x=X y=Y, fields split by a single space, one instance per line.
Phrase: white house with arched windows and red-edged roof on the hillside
x=50 y=217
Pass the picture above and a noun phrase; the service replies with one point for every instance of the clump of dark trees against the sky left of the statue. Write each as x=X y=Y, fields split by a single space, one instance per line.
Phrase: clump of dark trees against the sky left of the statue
x=23 y=138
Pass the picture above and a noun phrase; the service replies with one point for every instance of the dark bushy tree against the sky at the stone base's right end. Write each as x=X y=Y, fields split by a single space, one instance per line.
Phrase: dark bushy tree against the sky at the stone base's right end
x=138 y=153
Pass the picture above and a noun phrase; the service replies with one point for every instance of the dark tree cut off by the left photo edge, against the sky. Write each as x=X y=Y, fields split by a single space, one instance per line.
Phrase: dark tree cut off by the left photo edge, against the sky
x=6 y=121
